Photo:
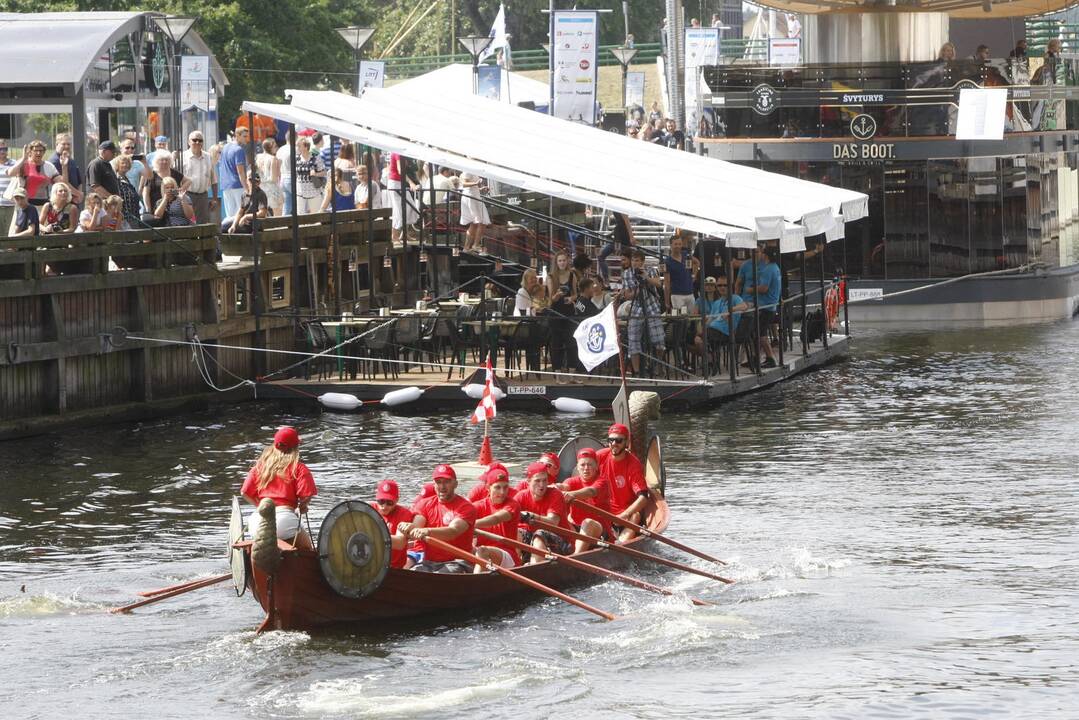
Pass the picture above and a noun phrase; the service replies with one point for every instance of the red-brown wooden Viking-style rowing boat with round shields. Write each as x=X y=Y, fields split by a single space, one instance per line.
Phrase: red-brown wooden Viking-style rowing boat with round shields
x=348 y=582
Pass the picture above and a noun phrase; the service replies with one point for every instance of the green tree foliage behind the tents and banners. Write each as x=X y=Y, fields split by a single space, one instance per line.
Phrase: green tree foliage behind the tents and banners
x=266 y=48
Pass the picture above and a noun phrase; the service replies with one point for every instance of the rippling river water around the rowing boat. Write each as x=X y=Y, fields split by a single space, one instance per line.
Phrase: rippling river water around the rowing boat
x=903 y=528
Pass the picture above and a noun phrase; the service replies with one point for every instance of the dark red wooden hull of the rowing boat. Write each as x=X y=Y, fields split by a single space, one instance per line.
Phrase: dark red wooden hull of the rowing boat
x=299 y=599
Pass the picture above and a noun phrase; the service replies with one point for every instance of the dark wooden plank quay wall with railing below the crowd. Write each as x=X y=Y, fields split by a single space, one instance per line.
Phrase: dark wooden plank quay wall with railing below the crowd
x=63 y=361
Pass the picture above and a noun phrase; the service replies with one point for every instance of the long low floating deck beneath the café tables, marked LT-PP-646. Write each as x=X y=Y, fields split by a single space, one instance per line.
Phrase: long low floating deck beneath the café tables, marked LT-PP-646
x=537 y=392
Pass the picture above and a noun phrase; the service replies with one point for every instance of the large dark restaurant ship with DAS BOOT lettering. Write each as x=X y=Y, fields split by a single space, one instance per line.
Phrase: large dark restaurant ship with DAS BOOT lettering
x=963 y=228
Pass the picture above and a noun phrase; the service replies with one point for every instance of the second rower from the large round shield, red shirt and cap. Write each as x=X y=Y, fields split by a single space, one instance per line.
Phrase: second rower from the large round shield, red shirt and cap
x=446 y=517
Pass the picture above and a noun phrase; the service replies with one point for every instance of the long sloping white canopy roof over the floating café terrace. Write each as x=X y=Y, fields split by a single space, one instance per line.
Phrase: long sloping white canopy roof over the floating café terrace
x=558 y=158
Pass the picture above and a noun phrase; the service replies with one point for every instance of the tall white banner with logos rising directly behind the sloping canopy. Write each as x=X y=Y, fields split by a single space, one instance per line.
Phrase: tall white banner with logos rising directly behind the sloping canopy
x=575 y=64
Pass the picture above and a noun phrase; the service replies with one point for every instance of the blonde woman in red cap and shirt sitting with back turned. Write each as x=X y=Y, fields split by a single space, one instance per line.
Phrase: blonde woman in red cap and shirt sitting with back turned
x=280 y=477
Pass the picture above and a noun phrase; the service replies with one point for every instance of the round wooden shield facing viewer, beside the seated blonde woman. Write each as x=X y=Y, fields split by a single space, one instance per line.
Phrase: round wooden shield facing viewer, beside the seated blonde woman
x=354 y=549
